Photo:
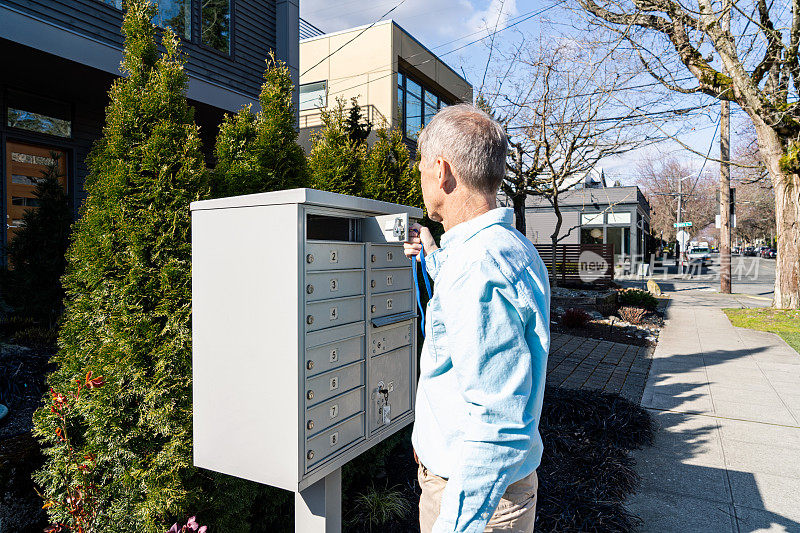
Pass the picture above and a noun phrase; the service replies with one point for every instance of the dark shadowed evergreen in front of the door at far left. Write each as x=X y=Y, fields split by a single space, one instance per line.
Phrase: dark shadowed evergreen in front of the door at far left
x=36 y=254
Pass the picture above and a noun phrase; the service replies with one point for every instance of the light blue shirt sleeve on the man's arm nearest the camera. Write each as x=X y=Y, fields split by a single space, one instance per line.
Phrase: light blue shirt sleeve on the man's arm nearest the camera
x=485 y=325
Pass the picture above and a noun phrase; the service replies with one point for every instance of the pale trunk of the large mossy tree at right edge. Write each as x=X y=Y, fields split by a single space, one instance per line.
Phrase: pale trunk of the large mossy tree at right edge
x=787 y=218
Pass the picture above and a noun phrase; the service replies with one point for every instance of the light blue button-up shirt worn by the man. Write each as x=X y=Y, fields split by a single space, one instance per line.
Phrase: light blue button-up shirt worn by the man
x=483 y=365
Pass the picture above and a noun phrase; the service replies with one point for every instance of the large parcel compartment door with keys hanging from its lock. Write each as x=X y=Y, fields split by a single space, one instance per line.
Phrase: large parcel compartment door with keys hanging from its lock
x=390 y=371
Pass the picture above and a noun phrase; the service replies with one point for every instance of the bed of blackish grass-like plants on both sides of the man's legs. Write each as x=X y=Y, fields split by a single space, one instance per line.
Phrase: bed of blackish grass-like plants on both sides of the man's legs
x=586 y=473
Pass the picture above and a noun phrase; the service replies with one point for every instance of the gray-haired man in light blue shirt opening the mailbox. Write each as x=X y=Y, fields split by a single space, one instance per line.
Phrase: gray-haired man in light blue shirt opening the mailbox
x=482 y=370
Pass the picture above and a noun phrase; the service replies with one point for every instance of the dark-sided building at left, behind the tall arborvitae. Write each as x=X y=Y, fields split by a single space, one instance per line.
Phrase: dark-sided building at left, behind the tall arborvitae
x=60 y=58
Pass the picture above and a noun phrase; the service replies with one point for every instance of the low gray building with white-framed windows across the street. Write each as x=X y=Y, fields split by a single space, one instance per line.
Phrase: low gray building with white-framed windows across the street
x=593 y=213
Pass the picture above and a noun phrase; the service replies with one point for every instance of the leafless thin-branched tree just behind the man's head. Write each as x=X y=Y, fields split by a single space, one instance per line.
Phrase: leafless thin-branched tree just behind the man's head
x=563 y=118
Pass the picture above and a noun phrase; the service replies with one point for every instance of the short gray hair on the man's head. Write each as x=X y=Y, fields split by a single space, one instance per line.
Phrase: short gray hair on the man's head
x=473 y=143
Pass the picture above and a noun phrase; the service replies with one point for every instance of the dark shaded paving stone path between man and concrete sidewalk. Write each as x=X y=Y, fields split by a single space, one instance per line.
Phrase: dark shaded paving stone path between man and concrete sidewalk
x=584 y=363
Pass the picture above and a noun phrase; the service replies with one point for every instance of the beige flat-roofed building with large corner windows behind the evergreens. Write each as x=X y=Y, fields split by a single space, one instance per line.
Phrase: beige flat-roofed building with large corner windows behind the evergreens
x=397 y=80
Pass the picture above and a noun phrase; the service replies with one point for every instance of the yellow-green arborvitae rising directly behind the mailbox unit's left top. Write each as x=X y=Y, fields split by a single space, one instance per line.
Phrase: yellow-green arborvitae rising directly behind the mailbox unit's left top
x=258 y=152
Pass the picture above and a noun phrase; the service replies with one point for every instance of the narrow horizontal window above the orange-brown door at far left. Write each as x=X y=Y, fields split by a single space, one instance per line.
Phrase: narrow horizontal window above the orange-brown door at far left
x=41 y=115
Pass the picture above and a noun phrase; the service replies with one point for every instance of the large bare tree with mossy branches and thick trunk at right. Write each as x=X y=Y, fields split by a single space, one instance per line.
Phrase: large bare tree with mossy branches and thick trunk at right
x=757 y=68
